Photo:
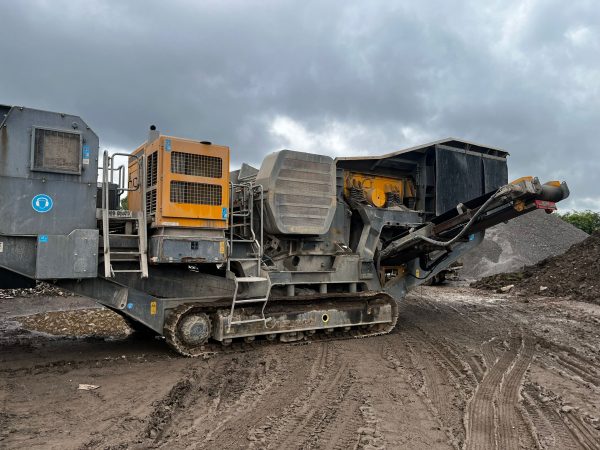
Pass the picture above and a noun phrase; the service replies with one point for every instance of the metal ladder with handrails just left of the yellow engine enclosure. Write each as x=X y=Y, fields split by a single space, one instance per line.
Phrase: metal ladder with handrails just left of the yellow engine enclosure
x=133 y=223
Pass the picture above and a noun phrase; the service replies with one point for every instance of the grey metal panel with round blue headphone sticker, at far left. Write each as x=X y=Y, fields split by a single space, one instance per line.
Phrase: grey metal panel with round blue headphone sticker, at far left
x=73 y=196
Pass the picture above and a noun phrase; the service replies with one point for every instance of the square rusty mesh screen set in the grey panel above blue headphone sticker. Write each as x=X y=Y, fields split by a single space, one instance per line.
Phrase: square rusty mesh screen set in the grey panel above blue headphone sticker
x=56 y=151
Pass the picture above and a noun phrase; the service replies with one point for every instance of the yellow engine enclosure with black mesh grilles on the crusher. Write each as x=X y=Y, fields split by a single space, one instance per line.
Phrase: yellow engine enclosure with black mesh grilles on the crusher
x=187 y=183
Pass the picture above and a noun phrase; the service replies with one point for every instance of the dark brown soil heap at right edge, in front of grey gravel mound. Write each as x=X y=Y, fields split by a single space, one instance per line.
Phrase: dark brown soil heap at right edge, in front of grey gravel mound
x=574 y=274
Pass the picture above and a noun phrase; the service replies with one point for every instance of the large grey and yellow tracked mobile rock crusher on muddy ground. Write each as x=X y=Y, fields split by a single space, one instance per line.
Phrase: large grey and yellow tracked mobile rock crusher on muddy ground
x=205 y=256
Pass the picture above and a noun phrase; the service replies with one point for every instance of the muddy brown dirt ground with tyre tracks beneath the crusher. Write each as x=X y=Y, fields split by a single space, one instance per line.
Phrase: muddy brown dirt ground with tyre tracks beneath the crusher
x=463 y=369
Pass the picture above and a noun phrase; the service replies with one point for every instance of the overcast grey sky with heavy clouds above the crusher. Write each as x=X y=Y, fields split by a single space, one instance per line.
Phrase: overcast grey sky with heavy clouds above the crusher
x=337 y=77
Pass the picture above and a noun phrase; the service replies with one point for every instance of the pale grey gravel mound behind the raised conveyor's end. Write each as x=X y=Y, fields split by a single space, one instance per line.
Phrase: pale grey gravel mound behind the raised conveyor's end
x=524 y=241
